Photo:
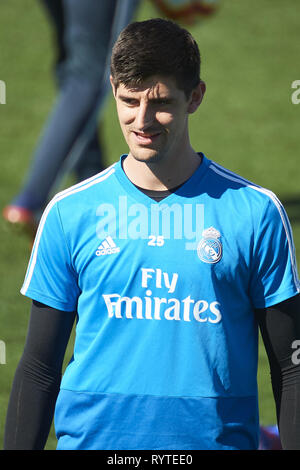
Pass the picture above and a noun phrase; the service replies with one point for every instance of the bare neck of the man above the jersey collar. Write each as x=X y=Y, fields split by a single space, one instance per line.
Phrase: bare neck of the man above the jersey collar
x=157 y=176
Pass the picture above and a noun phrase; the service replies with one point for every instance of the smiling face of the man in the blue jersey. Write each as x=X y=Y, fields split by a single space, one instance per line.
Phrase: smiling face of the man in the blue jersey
x=153 y=118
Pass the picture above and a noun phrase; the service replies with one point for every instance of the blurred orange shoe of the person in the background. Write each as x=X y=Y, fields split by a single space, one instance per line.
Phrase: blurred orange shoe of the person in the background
x=21 y=219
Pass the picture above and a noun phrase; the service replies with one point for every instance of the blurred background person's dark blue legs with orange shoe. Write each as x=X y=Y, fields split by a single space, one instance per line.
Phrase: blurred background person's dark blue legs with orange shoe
x=84 y=32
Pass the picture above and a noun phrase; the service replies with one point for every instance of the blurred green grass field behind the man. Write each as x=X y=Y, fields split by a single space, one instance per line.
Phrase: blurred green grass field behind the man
x=247 y=122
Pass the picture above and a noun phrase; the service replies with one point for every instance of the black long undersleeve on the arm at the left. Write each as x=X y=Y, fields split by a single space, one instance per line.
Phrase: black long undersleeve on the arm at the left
x=37 y=379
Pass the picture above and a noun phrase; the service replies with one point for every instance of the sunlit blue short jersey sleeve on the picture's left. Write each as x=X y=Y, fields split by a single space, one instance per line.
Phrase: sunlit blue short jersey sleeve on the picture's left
x=50 y=277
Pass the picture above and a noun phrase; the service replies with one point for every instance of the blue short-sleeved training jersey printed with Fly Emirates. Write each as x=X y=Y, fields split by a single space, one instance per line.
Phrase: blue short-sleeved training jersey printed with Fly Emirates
x=166 y=347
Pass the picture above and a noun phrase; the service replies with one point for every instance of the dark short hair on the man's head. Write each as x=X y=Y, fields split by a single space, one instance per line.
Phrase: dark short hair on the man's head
x=156 y=47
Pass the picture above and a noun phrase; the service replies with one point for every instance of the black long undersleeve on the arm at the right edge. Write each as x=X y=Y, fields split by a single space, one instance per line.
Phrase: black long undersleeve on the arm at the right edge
x=280 y=330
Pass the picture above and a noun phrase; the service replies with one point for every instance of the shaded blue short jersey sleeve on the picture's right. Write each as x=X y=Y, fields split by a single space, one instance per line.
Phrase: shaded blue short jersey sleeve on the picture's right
x=274 y=271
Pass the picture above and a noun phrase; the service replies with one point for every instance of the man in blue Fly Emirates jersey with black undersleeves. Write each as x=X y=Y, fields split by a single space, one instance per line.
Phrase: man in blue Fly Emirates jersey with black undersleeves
x=169 y=263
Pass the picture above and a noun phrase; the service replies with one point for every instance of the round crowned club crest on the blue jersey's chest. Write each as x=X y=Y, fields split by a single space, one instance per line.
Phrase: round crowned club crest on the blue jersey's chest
x=209 y=249
